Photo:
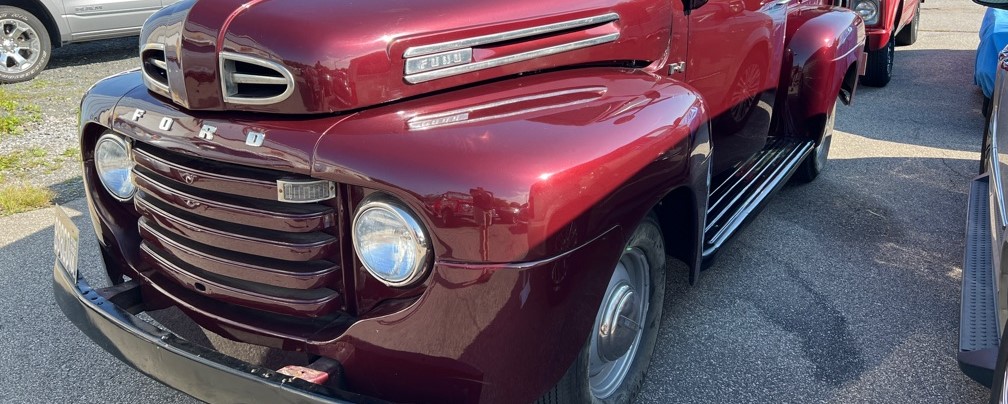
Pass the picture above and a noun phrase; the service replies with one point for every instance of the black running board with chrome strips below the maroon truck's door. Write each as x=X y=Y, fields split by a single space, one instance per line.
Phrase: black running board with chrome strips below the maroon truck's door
x=740 y=196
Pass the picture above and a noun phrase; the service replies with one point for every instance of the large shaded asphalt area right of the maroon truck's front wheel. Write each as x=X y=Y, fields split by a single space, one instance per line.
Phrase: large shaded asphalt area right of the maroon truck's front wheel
x=845 y=290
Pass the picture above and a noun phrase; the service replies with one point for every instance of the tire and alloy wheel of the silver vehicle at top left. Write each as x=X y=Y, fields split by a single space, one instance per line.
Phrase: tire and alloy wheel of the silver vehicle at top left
x=26 y=47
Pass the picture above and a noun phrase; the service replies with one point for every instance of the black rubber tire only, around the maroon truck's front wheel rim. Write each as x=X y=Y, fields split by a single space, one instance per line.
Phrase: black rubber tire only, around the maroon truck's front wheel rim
x=575 y=387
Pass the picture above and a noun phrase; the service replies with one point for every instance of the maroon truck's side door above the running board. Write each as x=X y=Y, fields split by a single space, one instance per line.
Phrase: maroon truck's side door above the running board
x=733 y=59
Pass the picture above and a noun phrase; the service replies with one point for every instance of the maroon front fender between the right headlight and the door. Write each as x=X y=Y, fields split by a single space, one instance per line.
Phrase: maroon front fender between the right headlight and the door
x=552 y=164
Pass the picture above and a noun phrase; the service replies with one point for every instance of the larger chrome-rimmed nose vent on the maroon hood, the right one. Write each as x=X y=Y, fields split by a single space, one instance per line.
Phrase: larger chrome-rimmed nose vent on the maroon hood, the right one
x=253 y=81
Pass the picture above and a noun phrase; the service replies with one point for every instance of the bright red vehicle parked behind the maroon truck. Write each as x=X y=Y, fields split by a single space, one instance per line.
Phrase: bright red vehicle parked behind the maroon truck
x=889 y=24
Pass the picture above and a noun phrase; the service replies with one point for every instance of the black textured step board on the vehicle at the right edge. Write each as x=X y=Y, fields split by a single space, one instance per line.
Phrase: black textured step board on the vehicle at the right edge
x=978 y=322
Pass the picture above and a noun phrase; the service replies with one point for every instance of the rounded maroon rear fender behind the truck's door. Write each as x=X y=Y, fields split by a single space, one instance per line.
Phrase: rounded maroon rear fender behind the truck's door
x=821 y=63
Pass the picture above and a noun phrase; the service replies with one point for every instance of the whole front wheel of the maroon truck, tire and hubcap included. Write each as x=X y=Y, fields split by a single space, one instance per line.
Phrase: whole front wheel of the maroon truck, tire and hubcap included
x=595 y=379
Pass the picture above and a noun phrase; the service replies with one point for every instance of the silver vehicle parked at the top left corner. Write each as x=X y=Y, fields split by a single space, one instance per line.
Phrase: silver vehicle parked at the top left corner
x=30 y=30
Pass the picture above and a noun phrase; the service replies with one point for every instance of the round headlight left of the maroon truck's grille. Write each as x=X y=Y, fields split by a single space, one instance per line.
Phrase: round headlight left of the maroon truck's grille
x=115 y=166
